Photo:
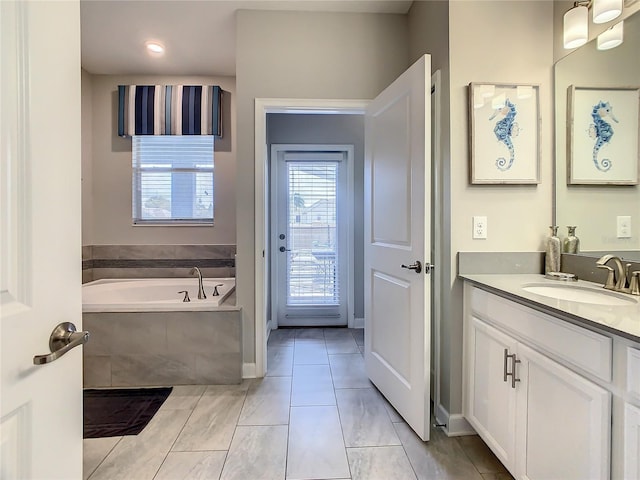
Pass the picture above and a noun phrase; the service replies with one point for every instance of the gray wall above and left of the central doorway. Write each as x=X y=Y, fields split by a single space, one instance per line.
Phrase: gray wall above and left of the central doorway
x=302 y=55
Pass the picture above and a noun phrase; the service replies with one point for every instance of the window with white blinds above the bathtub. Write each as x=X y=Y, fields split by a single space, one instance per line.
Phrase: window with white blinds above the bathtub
x=172 y=179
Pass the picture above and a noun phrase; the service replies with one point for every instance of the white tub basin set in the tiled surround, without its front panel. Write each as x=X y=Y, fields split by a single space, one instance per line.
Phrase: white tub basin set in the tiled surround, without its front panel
x=153 y=294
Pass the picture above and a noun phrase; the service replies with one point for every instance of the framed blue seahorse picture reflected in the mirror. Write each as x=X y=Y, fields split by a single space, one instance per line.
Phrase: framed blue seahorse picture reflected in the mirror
x=603 y=131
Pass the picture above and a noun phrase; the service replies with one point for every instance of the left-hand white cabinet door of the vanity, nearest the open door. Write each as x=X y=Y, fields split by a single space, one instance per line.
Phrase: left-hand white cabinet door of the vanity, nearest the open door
x=490 y=400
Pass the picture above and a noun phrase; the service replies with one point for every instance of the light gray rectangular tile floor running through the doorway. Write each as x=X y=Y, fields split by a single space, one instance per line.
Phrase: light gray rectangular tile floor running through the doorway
x=314 y=416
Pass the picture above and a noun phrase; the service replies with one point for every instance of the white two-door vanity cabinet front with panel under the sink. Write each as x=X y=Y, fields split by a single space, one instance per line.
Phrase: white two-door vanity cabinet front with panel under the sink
x=523 y=394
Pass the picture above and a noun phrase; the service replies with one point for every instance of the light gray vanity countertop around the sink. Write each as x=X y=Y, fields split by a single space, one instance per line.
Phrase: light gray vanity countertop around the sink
x=619 y=320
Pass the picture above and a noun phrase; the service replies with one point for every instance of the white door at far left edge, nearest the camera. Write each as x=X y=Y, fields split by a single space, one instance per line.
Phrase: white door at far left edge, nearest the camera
x=40 y=238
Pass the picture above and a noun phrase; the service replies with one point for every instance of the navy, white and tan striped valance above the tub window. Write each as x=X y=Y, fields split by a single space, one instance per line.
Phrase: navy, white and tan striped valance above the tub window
x=169 y=110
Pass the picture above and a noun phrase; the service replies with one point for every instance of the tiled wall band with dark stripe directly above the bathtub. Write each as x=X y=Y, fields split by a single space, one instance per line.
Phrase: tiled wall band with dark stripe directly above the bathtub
x=153 y=261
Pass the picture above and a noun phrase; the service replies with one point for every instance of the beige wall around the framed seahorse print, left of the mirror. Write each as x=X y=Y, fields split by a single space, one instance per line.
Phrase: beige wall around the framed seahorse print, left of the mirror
x=501 y=42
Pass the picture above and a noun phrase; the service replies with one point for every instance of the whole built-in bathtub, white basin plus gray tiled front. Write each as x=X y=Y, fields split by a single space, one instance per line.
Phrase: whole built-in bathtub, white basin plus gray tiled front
x=143 y=334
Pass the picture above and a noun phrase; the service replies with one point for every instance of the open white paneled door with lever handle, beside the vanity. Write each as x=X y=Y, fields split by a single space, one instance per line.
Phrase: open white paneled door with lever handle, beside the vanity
x=397 y=235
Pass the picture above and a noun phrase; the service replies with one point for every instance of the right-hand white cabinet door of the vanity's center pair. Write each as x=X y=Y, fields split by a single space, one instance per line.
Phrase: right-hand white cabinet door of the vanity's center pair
x=564 y=422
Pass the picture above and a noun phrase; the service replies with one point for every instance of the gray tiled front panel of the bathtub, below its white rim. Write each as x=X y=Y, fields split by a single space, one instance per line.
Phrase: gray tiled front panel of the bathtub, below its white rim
x=163 y=348
